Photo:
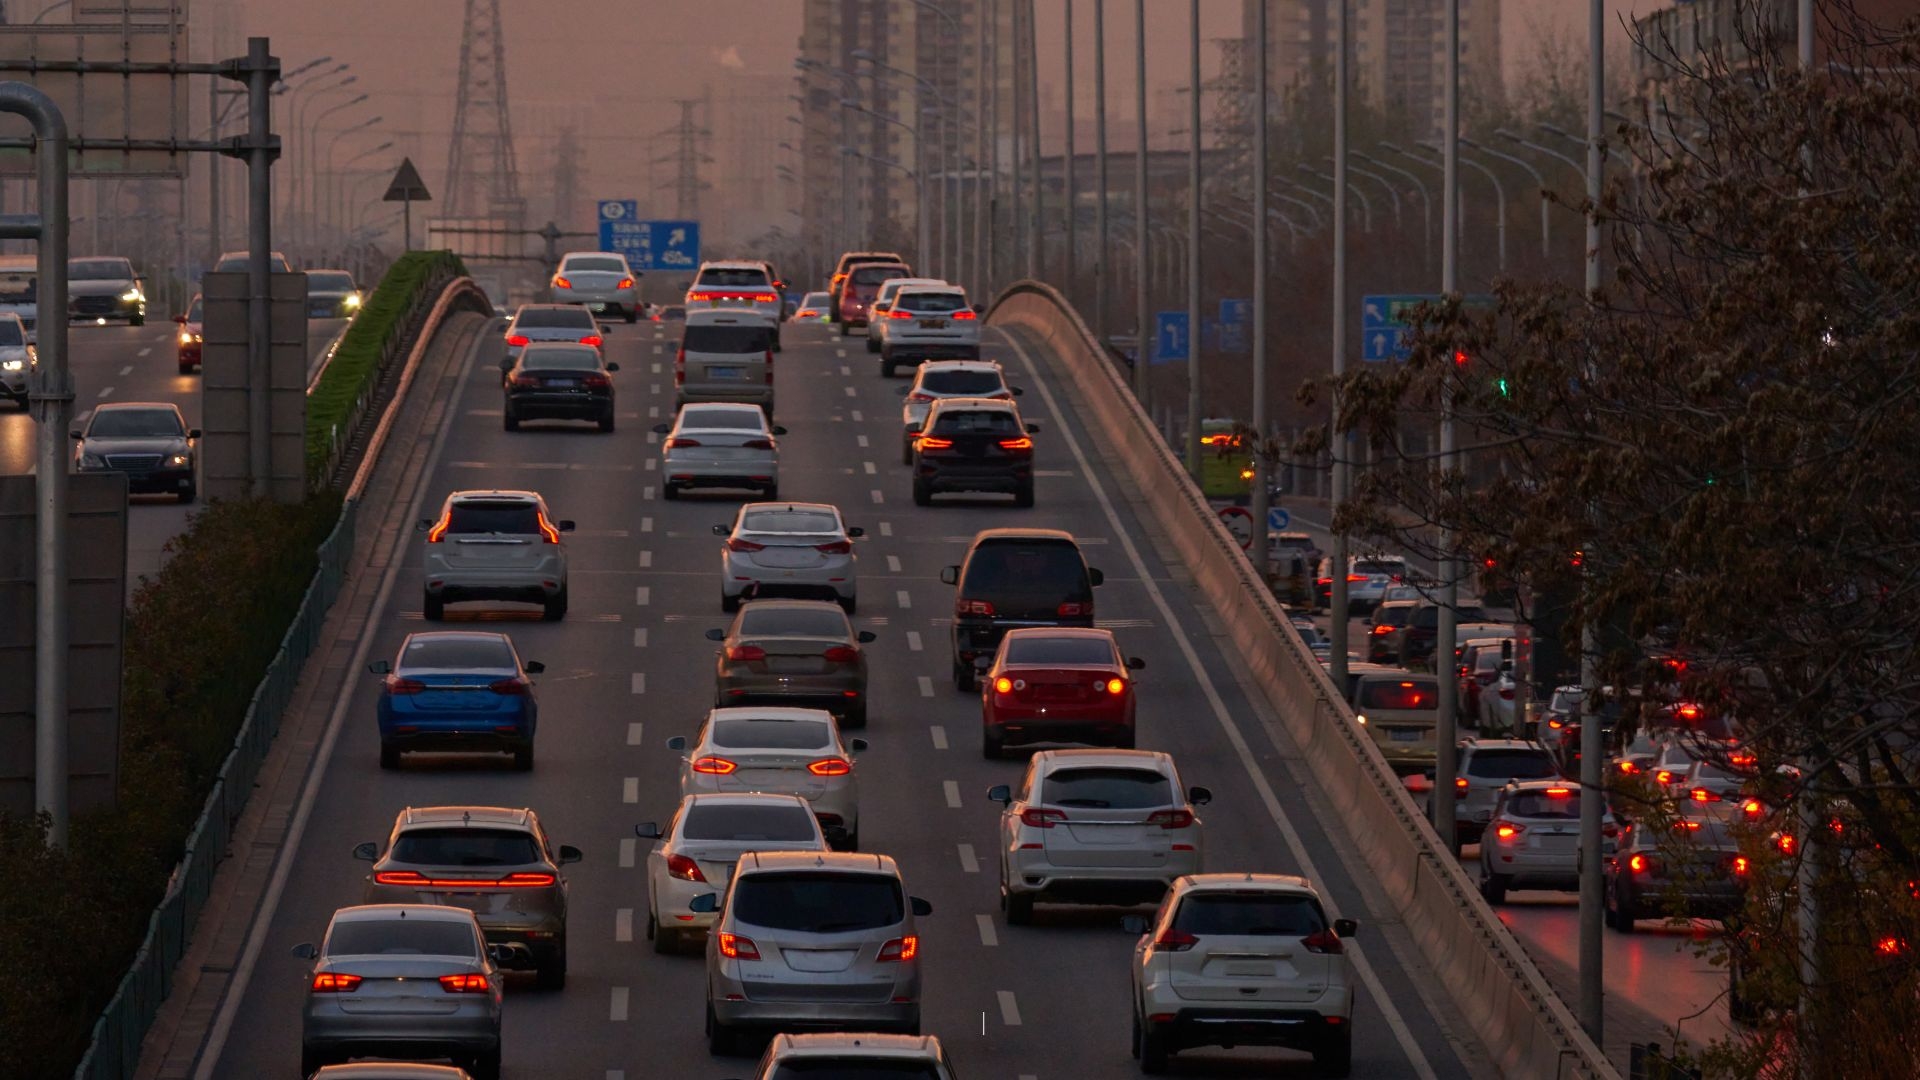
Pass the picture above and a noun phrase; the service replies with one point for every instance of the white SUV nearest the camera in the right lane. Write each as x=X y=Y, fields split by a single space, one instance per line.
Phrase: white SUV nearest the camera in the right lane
x=1243 y=960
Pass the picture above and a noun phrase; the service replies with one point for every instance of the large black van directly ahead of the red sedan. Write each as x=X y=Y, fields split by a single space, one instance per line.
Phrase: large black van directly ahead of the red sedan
x=1017 y=577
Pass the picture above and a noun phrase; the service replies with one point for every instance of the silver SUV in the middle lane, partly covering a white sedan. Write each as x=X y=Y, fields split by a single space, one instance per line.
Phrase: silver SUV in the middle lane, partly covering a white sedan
x=813 y=941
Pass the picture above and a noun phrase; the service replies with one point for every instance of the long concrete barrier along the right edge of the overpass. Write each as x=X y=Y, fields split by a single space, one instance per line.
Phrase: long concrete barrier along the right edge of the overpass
x=1504 y=998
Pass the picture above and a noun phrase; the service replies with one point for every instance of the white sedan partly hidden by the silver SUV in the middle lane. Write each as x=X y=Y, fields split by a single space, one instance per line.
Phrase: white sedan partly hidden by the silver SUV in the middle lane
x=700 y=848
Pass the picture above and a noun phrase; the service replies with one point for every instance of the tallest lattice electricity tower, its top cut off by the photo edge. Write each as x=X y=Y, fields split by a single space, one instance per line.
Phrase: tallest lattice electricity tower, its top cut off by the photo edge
x=483 y=178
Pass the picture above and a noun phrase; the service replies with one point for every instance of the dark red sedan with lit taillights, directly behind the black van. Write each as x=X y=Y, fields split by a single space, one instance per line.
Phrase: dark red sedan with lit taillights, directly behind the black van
x=1051 y=685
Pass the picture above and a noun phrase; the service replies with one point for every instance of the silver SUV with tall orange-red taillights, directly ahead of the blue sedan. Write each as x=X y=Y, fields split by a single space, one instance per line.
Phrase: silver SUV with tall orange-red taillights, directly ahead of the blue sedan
x=496 y=547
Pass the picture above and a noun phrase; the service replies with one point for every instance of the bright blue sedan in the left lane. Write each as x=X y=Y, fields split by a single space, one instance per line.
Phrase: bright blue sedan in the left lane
x=458 y=691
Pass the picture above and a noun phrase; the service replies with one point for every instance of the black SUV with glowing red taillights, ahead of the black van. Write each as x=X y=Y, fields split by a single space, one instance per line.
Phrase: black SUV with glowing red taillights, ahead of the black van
x=974 y=445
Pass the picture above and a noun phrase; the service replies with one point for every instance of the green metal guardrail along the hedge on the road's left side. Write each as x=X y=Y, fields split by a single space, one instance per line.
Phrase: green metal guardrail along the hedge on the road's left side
x=128 y=1018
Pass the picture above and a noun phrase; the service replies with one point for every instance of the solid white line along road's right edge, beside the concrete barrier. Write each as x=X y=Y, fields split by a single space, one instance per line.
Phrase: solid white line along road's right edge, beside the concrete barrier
x=1297 y=848
